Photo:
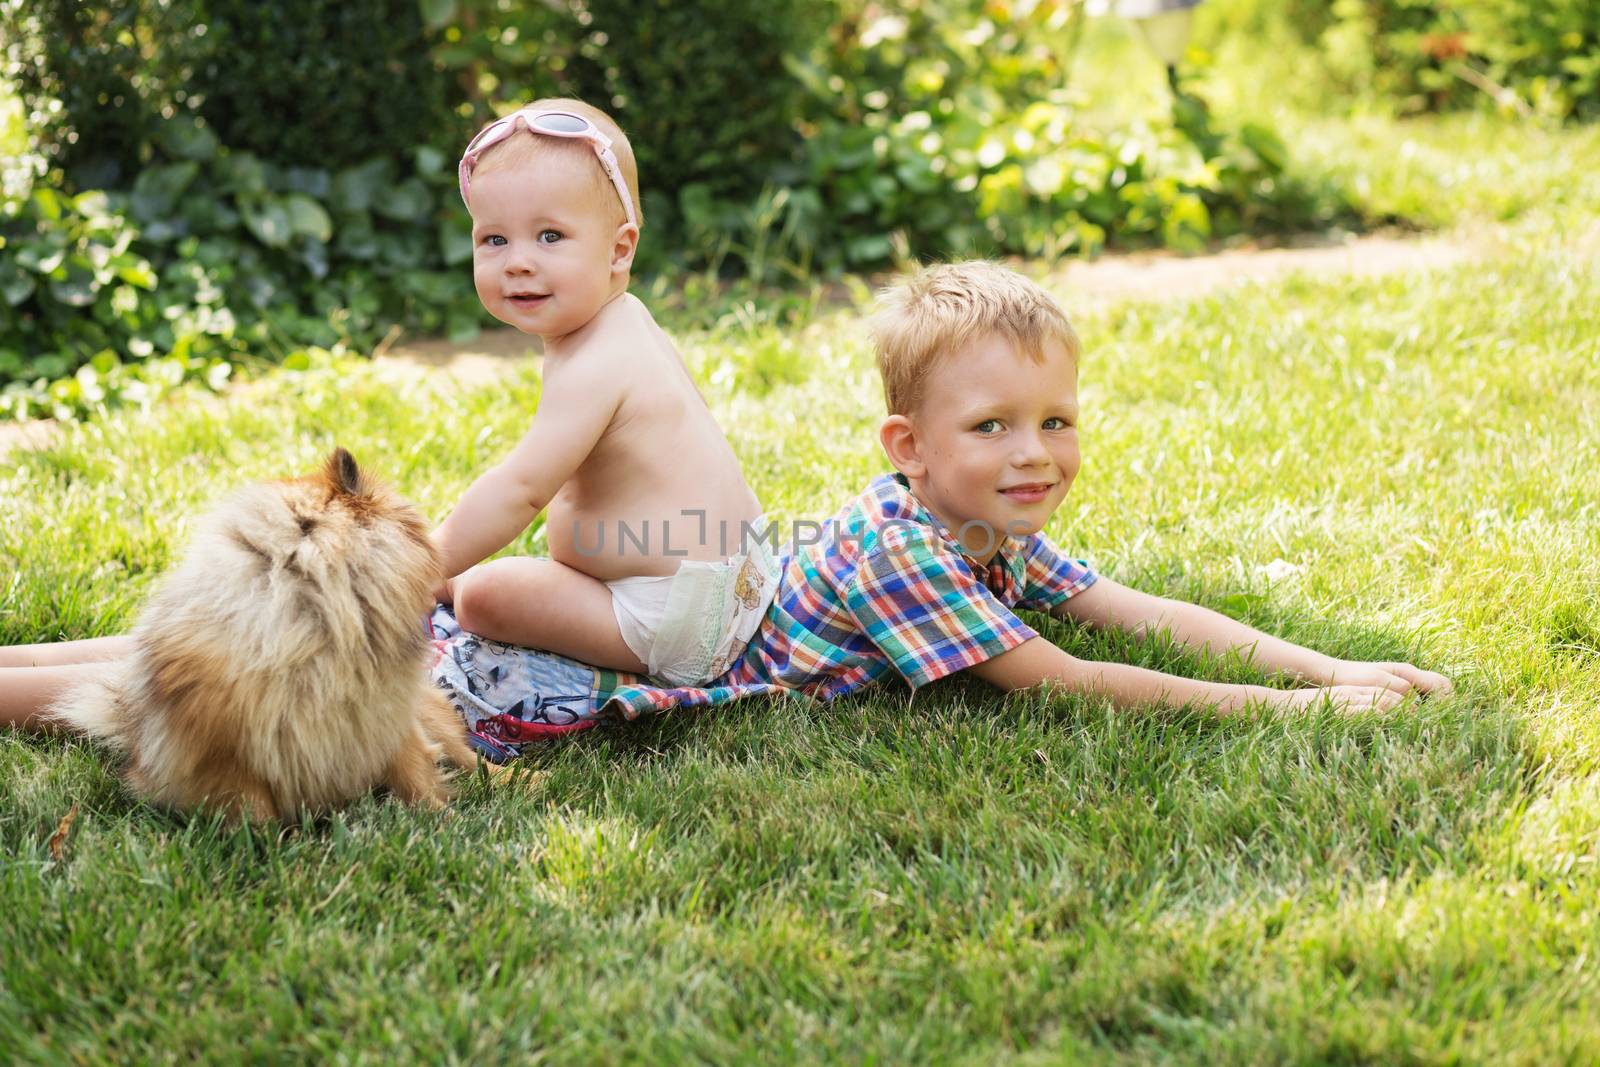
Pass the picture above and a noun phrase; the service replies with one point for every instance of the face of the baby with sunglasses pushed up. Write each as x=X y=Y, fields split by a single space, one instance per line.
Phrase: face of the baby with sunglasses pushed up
x=542 y=247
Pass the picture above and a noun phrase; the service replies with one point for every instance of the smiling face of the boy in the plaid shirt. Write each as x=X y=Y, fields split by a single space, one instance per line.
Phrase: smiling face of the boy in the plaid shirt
x=994 y=446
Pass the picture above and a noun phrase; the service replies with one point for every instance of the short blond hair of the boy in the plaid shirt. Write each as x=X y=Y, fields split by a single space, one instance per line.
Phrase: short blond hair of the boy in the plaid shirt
x=940 y=310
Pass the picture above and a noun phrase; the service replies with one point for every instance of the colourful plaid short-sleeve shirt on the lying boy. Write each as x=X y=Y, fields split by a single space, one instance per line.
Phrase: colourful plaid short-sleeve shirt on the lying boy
x=884 y=591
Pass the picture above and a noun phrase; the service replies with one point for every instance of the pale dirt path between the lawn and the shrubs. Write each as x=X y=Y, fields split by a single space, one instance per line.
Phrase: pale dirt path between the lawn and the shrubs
x=1137 y=276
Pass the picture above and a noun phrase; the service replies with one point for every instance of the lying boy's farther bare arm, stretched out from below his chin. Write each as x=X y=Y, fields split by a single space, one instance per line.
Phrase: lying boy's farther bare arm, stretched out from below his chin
x=1108 y=604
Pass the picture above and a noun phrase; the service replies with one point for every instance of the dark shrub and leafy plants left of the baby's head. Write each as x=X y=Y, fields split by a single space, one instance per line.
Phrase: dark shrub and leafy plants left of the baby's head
x=198 y=250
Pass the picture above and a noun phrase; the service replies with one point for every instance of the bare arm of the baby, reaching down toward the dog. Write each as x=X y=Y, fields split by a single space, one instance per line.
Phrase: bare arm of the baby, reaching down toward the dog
x=575 y=410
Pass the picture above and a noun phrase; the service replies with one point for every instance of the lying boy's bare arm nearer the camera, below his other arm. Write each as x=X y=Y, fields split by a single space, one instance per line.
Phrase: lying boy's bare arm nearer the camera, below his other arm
x=1041 y=663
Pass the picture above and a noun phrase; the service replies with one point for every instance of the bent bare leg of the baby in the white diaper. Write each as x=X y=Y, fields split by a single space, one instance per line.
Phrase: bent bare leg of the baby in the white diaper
x=543 y=604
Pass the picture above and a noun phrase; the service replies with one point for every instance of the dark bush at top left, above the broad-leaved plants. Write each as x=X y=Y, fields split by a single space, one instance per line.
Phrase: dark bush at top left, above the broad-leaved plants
x=300 y=82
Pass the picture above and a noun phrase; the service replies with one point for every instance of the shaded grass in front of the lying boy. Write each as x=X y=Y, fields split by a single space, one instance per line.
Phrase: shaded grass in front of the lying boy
x=1170 y=804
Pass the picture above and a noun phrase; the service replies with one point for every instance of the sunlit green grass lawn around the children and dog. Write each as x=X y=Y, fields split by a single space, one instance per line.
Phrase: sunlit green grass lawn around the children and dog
x=1377 y=468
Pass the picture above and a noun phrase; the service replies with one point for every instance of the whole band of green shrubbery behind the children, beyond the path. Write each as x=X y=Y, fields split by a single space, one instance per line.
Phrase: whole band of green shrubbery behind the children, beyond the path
x=284 y=175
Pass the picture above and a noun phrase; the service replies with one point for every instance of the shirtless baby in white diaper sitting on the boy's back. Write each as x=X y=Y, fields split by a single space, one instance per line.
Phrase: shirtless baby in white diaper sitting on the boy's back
x=654 y=562
